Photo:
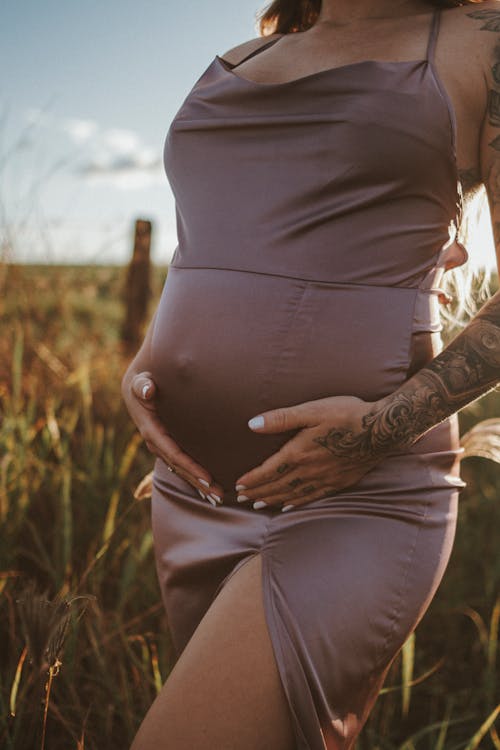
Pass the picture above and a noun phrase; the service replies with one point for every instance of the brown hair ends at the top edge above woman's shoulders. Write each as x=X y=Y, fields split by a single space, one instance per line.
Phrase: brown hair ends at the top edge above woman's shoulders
x=286 y=16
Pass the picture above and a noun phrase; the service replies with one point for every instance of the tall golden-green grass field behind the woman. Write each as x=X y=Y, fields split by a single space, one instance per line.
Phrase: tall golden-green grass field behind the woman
x=85 y=642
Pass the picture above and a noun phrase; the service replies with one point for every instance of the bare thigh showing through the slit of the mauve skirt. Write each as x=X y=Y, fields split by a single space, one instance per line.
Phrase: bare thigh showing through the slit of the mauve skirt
x=224 y=691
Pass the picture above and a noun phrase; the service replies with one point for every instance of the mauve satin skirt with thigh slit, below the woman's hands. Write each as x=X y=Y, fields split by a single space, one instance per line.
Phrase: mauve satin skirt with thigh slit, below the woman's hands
x=345 y=579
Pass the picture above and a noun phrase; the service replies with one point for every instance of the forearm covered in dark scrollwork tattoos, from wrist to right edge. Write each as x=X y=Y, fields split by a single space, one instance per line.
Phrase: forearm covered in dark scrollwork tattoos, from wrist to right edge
x=465 y=370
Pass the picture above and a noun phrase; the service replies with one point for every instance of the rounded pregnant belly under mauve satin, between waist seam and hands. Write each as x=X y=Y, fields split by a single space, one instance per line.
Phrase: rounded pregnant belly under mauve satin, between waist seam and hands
x=228 y=345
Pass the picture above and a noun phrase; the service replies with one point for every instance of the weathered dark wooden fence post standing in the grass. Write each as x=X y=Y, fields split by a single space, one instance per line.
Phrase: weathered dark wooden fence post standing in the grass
x=137 y=286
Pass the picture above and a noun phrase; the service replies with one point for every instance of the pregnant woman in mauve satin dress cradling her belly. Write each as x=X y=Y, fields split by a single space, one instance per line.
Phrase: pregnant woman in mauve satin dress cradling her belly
x=293 y=383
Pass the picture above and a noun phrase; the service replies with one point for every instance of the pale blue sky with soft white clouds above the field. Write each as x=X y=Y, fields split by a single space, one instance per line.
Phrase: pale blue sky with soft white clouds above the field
x=87 y=96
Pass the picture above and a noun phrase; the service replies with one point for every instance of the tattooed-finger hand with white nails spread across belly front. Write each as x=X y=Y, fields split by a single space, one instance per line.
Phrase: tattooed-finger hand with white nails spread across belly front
x=333 y=450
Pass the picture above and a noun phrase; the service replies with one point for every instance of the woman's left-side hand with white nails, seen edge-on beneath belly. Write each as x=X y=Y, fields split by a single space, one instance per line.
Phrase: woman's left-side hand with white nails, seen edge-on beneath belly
x=138 y=391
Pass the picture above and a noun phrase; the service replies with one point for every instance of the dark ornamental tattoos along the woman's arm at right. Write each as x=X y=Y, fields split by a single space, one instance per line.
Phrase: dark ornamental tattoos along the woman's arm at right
x=470 y=365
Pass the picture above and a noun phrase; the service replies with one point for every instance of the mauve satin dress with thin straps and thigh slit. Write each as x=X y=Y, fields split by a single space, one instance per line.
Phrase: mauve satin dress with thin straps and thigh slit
x=315 y=219
